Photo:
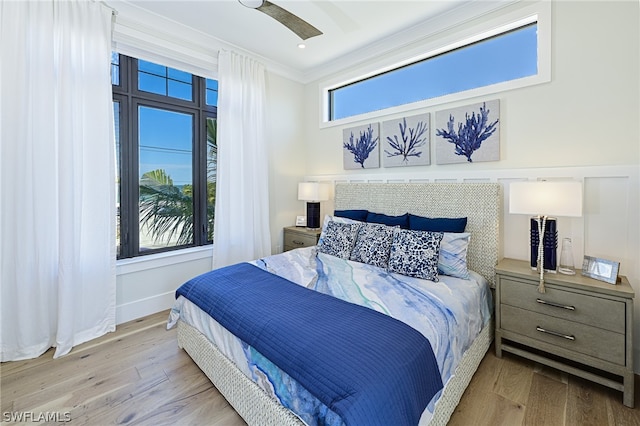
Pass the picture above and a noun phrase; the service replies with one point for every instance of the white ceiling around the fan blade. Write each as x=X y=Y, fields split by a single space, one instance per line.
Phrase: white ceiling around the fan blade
x=348 y=26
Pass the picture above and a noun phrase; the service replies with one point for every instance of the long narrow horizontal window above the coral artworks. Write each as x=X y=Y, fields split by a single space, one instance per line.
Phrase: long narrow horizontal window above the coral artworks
x=508 y=55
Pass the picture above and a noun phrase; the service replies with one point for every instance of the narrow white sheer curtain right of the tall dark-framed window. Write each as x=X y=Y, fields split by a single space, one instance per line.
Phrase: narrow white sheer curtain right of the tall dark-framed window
x=241 y=228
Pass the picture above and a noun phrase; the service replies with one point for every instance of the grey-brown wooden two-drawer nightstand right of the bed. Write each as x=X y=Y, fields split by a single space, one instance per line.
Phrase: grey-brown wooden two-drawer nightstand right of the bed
x=579 y=325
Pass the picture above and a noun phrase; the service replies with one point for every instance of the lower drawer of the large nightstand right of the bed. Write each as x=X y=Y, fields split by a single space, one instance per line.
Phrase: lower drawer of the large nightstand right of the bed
x=573 y=336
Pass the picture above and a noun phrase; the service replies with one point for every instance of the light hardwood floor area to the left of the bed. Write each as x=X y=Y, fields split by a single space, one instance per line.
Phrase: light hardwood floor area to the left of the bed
x=136 y=376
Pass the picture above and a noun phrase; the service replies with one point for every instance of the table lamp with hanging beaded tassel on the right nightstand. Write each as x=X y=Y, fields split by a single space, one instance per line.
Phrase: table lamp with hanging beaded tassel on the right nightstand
x=545 y=199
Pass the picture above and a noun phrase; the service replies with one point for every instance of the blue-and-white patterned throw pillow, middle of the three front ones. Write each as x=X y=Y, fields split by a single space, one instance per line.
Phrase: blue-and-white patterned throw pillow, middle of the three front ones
x=373 y=244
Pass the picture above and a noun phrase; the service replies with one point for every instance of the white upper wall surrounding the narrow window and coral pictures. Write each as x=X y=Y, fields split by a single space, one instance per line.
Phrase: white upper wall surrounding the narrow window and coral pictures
x=587 y=114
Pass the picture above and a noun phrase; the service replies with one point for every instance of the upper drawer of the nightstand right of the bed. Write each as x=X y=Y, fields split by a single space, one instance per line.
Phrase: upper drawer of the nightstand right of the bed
x=590 y=310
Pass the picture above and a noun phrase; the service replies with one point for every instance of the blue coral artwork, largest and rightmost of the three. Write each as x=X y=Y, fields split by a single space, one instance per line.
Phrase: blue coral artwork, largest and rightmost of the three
x=468 y=134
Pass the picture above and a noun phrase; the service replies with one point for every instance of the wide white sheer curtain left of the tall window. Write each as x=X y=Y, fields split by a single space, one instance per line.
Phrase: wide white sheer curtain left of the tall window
x=57 y=230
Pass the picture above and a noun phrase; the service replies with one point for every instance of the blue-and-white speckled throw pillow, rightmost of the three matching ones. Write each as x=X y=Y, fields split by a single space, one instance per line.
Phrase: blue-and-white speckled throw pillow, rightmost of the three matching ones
x=415 y=253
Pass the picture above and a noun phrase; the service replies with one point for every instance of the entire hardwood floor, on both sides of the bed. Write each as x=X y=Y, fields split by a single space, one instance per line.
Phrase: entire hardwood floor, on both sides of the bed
x=138 y=376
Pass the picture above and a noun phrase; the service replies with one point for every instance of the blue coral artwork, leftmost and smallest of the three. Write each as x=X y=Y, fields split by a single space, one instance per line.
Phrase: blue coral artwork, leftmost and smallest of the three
x=361 y=147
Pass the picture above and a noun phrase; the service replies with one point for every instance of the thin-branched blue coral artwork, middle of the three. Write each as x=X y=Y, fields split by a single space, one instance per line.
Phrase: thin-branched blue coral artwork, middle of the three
x=405 y=141
